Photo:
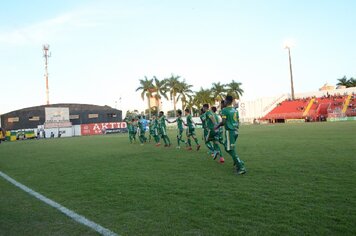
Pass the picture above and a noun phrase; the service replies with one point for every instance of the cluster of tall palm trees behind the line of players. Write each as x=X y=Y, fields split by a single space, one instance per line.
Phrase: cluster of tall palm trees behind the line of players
x=176 y=89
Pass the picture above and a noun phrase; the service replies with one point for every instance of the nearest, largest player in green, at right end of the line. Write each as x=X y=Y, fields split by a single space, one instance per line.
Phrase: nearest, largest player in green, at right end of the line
x=230 y=120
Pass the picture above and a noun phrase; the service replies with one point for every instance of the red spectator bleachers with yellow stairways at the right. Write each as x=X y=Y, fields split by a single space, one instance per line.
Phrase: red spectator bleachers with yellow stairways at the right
x=314 y=109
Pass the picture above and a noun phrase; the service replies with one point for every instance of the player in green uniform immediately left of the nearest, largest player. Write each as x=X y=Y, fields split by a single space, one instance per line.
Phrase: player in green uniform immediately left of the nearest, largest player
x=212 y=135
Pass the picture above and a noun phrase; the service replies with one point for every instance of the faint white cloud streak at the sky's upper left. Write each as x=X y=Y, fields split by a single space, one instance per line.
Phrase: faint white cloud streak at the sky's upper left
x=49 y=29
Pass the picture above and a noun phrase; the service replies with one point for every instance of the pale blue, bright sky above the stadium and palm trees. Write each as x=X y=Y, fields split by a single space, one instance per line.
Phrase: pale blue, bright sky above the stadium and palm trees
x=100 y=49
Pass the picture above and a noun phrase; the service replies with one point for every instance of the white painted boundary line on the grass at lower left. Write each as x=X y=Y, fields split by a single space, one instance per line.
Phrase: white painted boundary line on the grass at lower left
x=78 y=218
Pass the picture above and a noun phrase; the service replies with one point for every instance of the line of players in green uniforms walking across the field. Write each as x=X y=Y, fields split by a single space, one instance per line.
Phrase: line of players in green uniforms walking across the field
x=213 y=131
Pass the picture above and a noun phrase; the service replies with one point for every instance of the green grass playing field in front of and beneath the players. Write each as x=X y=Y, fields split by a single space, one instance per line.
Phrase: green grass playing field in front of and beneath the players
x=301 y=180
